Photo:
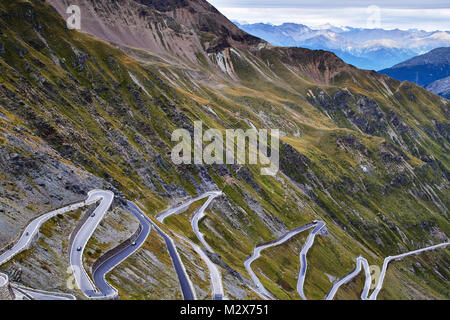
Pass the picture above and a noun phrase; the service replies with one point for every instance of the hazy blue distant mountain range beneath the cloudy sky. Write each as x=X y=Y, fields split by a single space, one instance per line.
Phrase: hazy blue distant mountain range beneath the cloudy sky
x=373 y=49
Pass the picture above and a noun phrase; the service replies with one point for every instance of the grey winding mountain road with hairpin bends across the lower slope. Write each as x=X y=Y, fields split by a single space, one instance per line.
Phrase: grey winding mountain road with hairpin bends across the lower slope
x=102 y=290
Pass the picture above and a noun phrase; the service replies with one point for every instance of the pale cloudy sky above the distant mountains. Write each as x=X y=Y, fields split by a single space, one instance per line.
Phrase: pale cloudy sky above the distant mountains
x=387 y=14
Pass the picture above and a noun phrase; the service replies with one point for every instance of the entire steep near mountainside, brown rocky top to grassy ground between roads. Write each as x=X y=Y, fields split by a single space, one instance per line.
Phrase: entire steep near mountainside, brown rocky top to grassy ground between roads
x=81 y=110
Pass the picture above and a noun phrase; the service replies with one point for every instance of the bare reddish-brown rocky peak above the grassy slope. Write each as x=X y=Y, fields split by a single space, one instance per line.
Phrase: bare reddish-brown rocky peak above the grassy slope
x=176 y=27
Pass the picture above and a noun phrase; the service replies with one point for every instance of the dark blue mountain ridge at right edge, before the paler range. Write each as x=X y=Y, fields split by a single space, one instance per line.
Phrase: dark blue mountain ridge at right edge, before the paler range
x=430 y=70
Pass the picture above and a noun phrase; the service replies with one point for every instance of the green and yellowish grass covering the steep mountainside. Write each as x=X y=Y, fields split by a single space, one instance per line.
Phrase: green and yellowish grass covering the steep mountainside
x=75 y=93
